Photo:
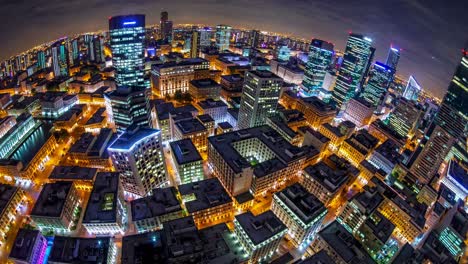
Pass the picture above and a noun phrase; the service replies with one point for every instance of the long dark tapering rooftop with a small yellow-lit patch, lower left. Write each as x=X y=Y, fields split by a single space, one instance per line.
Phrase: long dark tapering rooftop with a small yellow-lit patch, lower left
x=102 y=203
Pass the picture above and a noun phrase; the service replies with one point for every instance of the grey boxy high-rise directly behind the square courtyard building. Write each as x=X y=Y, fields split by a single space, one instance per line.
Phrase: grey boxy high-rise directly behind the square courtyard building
x=259 y=98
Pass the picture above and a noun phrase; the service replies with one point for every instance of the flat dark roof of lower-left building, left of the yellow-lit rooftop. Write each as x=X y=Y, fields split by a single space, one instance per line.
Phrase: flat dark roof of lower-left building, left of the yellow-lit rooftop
x=52 y=199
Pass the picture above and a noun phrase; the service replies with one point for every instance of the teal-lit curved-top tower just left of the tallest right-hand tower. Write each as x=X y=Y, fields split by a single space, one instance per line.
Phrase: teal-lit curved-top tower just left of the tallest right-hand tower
x=320 y=59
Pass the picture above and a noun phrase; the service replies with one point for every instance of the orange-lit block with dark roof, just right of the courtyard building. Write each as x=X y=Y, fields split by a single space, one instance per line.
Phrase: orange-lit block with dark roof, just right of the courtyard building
x=326 y=179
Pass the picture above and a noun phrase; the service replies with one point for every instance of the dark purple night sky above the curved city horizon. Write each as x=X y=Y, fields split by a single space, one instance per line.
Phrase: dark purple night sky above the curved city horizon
x=431 y=32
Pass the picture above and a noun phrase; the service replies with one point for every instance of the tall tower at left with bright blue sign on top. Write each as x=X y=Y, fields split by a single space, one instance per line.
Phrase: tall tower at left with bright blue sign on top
x=127 y=34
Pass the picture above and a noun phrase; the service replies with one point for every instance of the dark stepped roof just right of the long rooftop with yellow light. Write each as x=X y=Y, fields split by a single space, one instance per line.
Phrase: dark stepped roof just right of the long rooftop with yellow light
x=162 y=201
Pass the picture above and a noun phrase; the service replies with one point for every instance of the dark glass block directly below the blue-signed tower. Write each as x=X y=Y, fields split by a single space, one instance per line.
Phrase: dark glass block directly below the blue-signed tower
x=128 y=106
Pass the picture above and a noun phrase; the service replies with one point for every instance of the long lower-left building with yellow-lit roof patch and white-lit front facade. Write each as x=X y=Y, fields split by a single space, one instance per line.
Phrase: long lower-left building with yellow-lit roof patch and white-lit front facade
x=106 y=211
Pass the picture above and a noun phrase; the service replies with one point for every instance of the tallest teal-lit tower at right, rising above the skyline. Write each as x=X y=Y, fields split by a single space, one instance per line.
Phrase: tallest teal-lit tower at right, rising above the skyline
x=356 y=60
